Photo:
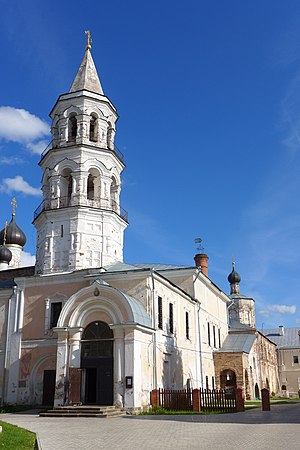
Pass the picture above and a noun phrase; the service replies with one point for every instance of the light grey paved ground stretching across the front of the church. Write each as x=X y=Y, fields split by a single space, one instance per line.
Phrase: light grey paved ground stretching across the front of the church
x=254 y=429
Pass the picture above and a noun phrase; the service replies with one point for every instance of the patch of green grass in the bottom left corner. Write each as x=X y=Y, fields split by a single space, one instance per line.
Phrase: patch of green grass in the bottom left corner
x=15 y=438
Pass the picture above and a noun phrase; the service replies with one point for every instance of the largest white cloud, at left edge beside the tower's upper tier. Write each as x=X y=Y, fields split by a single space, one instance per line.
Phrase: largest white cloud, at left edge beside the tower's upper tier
x=19 y=125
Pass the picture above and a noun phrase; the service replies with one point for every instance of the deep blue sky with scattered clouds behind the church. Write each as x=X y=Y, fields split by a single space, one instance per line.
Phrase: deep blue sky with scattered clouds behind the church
x=209 y=100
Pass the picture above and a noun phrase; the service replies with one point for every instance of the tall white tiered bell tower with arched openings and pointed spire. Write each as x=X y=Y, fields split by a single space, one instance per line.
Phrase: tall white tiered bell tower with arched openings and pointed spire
x=80 y=223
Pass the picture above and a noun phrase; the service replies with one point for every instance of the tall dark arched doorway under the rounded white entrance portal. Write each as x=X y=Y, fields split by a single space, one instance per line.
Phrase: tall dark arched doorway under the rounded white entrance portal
x=97 y=362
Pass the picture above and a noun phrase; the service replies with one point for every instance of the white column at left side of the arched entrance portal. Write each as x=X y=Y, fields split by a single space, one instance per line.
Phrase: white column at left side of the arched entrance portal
x=61 y=365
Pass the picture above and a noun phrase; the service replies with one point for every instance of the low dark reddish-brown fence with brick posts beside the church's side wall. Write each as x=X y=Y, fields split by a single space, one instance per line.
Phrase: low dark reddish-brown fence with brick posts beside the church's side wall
x=207 y=400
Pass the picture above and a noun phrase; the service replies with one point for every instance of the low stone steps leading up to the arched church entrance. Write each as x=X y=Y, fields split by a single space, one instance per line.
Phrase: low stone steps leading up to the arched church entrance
x=84 y=411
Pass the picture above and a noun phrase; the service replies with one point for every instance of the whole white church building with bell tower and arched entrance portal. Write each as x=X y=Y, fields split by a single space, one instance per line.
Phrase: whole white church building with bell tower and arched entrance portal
x=84 y=327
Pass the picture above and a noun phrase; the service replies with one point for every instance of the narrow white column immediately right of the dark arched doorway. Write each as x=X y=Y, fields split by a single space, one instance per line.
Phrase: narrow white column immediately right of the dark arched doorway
x=118 y=367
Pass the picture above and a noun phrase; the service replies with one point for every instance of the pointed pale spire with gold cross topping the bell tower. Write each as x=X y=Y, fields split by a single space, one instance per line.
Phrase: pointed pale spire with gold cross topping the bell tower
x=87 y=76
